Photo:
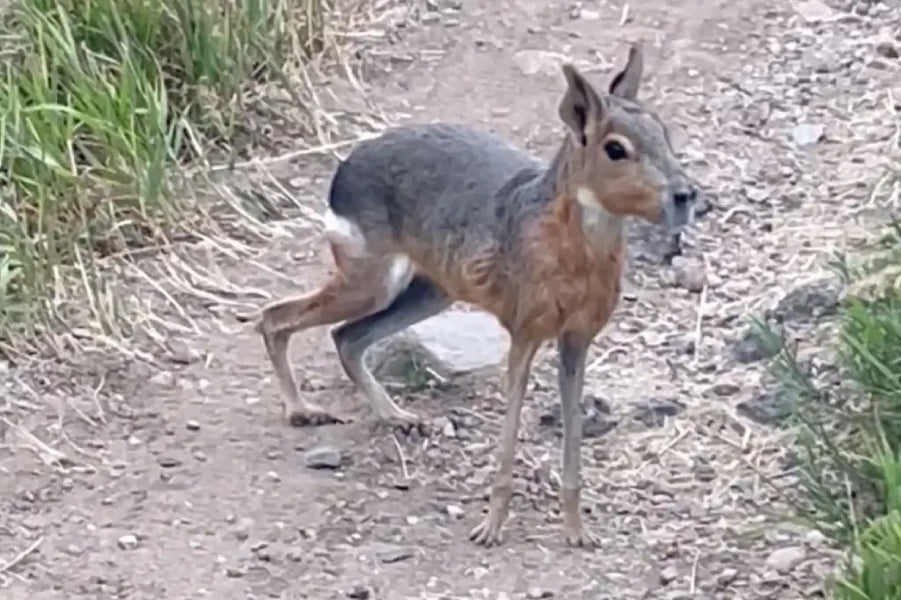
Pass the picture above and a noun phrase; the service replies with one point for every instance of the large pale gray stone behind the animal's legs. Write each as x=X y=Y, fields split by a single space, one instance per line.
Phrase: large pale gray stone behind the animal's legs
x=451 y=343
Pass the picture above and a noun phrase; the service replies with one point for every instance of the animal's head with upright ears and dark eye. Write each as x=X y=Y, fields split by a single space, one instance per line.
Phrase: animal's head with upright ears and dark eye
x=621 y=158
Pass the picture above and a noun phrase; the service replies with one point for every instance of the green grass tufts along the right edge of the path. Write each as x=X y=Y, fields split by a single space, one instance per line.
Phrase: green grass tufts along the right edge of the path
x=850 y=437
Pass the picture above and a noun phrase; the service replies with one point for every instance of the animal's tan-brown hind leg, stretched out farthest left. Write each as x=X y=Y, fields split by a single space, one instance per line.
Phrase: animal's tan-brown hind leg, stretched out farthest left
x=358 y=290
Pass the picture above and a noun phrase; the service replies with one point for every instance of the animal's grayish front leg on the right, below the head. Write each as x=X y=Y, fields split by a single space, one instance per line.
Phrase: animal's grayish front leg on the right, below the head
x=573 y=349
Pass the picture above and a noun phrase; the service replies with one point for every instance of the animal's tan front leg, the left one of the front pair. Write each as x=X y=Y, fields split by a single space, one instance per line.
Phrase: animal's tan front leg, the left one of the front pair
x=488 y=532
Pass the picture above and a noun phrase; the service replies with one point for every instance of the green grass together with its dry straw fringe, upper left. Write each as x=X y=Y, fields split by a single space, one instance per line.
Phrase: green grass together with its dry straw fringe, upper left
x=118 y=122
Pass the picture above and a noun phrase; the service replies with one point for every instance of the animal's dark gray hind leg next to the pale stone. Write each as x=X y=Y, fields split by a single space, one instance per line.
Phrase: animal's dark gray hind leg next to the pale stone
x=420 y=300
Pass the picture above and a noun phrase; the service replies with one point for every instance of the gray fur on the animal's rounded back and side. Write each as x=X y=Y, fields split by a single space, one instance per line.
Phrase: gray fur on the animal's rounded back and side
x=440 y=183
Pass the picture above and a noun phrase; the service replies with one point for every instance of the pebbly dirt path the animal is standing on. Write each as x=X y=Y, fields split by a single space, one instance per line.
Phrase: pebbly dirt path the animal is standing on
x=194 y=488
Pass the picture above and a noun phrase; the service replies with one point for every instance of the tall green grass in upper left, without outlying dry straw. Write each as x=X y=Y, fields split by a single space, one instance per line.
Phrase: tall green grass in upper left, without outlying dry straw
x=100 y=100
